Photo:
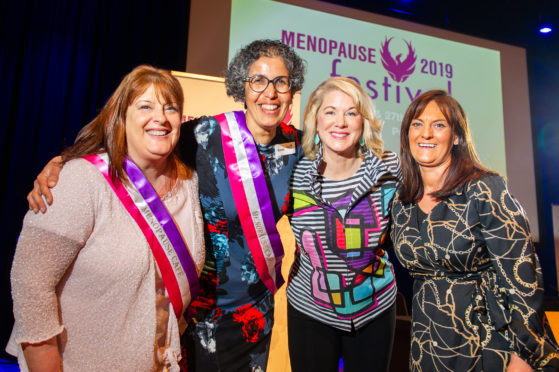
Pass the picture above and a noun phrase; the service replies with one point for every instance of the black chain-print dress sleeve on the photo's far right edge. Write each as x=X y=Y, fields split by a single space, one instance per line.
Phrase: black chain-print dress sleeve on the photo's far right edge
x=506 y=232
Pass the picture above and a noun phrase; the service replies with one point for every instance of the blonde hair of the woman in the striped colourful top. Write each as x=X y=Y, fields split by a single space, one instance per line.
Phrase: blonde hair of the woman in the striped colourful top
x=372 y=126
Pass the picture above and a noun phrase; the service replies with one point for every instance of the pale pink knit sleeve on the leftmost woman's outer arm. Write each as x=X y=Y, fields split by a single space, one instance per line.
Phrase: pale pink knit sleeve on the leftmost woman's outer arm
x=47 y=246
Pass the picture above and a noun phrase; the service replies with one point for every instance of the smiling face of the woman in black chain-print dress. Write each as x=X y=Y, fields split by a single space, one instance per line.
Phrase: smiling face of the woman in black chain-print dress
x=431 y=138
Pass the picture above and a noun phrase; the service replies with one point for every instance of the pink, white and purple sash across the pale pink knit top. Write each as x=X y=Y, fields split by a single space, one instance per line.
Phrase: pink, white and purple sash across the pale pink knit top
x=169 y=249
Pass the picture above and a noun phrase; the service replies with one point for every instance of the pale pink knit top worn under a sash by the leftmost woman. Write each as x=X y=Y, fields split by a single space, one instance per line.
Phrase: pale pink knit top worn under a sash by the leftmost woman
x=85 y=273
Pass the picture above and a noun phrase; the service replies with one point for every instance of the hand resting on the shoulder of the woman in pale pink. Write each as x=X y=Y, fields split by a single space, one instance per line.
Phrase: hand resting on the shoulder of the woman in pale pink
x=47 y=179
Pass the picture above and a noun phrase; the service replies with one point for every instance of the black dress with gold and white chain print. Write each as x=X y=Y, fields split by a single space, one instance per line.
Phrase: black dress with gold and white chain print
x=477 y=292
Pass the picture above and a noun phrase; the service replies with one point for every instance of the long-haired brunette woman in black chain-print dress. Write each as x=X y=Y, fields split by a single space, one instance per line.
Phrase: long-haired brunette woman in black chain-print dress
x=477 y=294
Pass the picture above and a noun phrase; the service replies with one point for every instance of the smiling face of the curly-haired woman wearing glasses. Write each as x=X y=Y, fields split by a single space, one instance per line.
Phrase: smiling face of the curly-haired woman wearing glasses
x=266 y=110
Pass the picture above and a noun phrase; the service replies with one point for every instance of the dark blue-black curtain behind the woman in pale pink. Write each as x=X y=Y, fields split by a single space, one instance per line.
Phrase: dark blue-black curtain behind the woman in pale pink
x=59 y=62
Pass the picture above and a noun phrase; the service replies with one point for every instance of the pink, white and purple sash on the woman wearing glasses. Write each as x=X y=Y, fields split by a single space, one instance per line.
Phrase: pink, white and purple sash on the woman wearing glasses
x=252 y=197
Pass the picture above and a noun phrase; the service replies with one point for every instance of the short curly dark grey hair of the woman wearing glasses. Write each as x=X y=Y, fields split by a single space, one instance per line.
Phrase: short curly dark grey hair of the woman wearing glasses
x=237 y=71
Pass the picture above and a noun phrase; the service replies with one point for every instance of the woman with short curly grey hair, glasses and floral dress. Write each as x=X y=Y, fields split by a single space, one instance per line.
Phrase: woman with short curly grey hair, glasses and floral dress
x=244 y=161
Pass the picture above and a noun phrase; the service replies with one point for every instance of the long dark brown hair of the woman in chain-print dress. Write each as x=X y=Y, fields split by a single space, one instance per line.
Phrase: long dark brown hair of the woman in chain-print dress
x=464 y=165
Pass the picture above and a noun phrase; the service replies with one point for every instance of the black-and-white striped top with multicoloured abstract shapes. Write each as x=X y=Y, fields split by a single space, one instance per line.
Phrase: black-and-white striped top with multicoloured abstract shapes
x=341 y=275
